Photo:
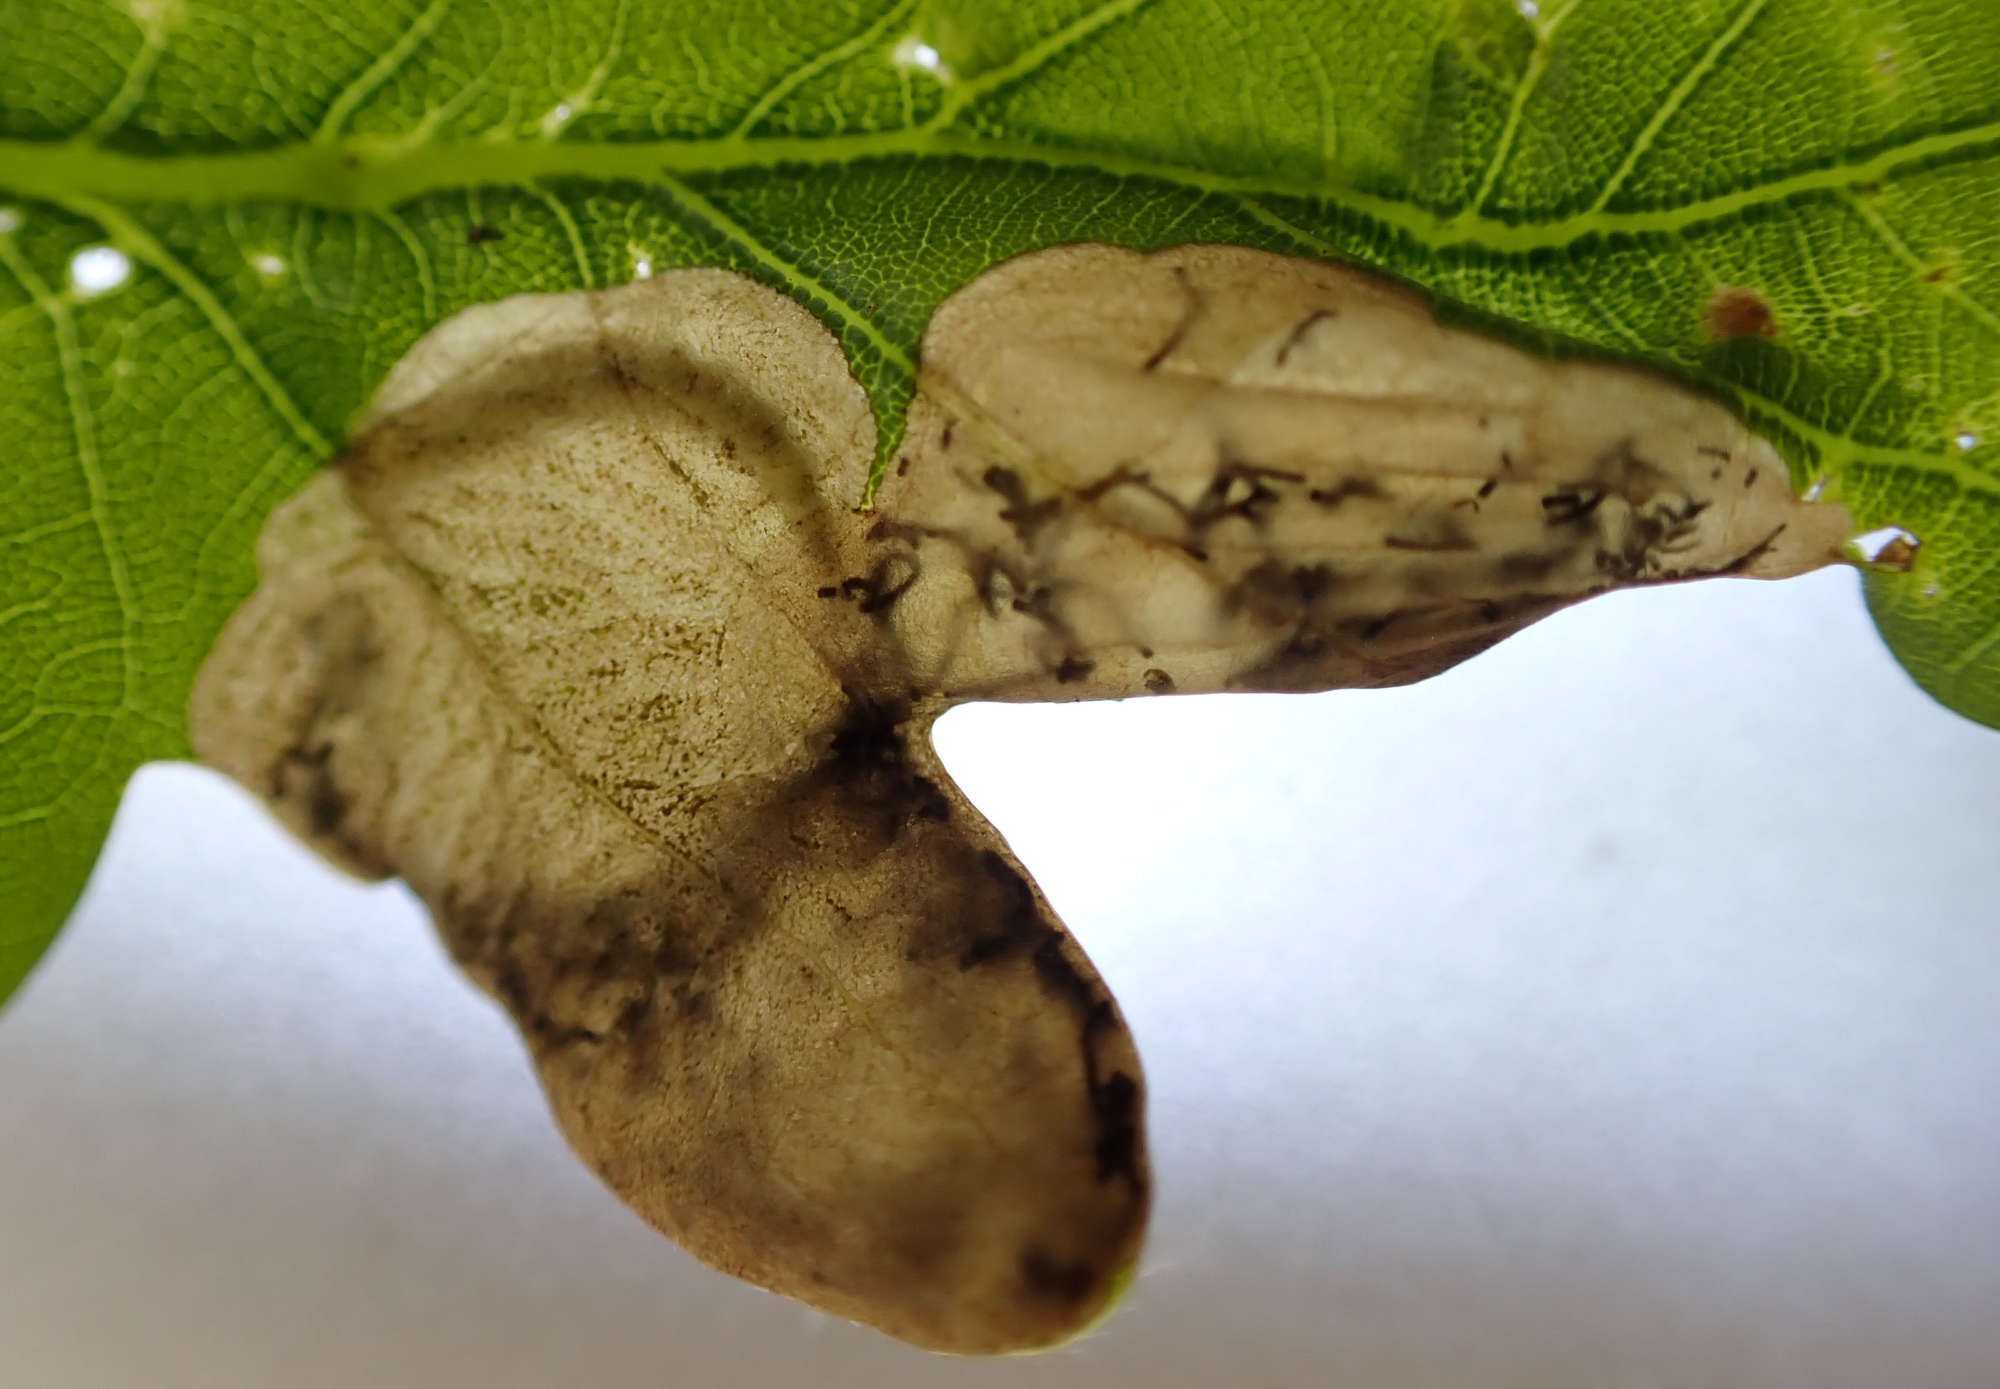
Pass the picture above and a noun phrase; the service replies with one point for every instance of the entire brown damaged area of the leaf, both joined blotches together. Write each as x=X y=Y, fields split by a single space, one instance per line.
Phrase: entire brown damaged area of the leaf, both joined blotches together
x=589 y=643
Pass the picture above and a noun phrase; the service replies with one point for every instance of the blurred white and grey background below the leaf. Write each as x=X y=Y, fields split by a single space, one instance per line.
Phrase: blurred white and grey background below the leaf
x=1619 y=1010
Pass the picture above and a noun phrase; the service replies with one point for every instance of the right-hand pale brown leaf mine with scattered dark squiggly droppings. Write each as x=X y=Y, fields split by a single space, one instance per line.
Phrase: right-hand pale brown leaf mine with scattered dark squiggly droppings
x=1221 y=469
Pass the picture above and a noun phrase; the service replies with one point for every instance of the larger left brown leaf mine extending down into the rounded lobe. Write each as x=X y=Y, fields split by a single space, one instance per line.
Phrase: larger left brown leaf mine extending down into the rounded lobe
x=549 y=647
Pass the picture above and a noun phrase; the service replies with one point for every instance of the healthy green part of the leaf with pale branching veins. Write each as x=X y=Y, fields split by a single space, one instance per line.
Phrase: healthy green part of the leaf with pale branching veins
x=303 y=189
